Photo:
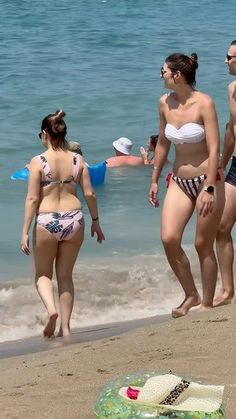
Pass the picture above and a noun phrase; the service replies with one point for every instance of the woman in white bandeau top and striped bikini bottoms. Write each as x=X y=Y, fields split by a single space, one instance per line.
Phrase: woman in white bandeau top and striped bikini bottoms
x=188 y=120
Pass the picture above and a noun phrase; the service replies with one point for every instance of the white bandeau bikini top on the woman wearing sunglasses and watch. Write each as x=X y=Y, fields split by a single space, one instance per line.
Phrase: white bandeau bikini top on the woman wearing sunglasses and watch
x=189 y=133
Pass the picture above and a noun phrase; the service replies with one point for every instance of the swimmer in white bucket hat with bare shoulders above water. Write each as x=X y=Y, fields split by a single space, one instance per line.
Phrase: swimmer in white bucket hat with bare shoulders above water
x=123 y=157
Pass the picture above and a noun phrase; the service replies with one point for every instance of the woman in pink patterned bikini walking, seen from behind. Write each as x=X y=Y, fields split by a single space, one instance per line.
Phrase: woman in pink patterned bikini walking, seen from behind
x=59 y=223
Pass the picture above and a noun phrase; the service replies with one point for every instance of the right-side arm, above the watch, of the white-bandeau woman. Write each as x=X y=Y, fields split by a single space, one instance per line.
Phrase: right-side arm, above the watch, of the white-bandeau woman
x=211 y=126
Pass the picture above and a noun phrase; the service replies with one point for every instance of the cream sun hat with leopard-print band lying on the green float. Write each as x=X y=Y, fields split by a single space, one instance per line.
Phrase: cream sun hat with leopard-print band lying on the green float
x=191 y=397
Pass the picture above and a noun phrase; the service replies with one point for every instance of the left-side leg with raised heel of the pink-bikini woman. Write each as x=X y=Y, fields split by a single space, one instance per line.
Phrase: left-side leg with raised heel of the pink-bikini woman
x=45 y=250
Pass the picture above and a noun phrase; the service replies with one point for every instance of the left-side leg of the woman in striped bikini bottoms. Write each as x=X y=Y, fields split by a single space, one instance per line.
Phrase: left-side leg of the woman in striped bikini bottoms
x=177 y=210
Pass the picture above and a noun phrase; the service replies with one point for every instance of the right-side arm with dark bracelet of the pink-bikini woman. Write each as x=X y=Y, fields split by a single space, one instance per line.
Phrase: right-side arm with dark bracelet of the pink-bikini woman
x=91 y=200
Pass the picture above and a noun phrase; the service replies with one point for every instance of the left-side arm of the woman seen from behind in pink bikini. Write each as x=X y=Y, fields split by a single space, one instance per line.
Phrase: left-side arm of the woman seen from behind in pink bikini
x=31 y=203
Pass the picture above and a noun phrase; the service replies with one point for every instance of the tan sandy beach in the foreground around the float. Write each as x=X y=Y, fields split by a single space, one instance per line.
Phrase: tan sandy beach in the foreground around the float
x=63 y=382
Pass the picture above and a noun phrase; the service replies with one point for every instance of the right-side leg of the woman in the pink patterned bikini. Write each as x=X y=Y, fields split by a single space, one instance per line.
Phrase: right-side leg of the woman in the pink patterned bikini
x=67 y=253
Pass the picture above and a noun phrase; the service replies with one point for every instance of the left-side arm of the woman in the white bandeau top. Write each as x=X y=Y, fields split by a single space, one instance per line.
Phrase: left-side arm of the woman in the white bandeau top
x=161 y=153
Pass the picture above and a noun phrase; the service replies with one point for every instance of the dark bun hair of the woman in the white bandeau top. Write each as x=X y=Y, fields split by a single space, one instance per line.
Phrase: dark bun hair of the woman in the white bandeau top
x=185 y=64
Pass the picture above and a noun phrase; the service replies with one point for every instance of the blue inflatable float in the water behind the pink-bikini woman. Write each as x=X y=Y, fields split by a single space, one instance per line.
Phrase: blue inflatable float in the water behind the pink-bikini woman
x=96 y=172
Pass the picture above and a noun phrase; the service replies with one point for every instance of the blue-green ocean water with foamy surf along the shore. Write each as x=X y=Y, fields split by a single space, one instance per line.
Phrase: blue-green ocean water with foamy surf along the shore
x=100 y=61
